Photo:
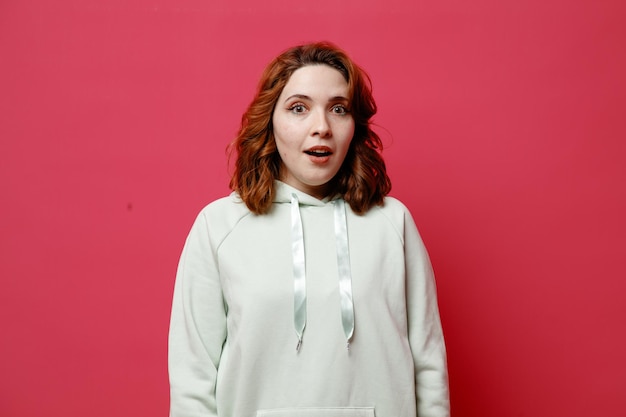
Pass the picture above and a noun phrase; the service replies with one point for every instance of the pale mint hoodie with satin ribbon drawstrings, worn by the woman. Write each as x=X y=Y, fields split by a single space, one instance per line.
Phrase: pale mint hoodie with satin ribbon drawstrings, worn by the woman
x=372 y=346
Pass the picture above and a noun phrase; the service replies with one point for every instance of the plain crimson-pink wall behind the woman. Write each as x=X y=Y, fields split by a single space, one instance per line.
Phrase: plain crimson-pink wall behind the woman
x=505 y=130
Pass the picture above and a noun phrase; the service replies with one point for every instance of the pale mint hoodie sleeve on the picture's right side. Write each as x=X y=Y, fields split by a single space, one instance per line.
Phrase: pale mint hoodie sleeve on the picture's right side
x=425 y=333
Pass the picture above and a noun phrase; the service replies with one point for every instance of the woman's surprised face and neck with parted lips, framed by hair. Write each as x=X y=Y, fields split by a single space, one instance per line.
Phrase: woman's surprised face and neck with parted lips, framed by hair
x=313 y=128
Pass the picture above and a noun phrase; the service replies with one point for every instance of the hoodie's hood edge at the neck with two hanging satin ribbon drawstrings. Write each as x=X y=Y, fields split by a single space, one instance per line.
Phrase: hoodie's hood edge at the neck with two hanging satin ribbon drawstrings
x=287 y=194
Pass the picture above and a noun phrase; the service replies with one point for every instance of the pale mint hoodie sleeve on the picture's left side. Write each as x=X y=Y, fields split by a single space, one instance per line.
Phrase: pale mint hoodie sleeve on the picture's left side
x=197 y=327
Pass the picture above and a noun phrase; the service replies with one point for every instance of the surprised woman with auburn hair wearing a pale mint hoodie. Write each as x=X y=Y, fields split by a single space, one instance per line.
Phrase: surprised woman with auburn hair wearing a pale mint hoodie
x=307 y=291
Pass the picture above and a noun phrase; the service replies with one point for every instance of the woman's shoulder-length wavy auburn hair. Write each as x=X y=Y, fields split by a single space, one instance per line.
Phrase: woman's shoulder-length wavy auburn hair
x=362 y=179
